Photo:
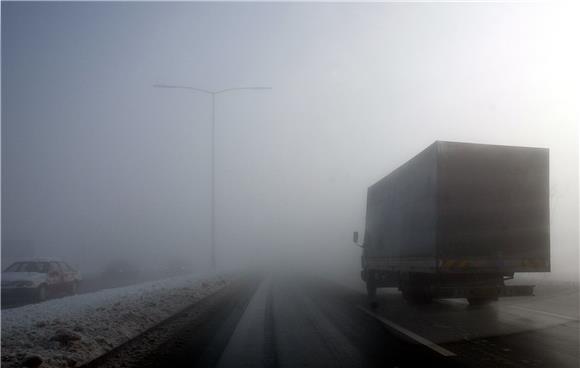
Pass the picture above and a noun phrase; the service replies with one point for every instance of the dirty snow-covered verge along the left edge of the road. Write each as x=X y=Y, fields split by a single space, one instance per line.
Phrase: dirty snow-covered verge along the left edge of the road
x=70 y=331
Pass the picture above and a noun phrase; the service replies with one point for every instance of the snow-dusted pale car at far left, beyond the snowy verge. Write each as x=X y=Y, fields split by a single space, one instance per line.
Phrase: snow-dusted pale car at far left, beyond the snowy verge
x=39 y=279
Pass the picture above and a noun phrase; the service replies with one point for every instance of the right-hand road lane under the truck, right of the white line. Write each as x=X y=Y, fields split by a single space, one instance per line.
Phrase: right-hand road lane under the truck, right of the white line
x=538 y=331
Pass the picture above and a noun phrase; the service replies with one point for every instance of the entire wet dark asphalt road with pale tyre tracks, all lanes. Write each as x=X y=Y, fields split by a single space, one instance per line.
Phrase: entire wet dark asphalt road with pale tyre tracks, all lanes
x=297 y=321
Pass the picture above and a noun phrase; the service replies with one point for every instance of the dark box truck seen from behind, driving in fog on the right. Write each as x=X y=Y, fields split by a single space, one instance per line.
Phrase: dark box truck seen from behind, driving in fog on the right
x=457 y=221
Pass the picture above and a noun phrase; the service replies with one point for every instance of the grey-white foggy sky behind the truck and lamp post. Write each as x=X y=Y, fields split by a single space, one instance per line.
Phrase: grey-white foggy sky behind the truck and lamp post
x=97 y=165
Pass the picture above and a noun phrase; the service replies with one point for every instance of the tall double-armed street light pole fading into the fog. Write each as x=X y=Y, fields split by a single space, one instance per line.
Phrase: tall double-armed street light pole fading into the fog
x=213 y=94
